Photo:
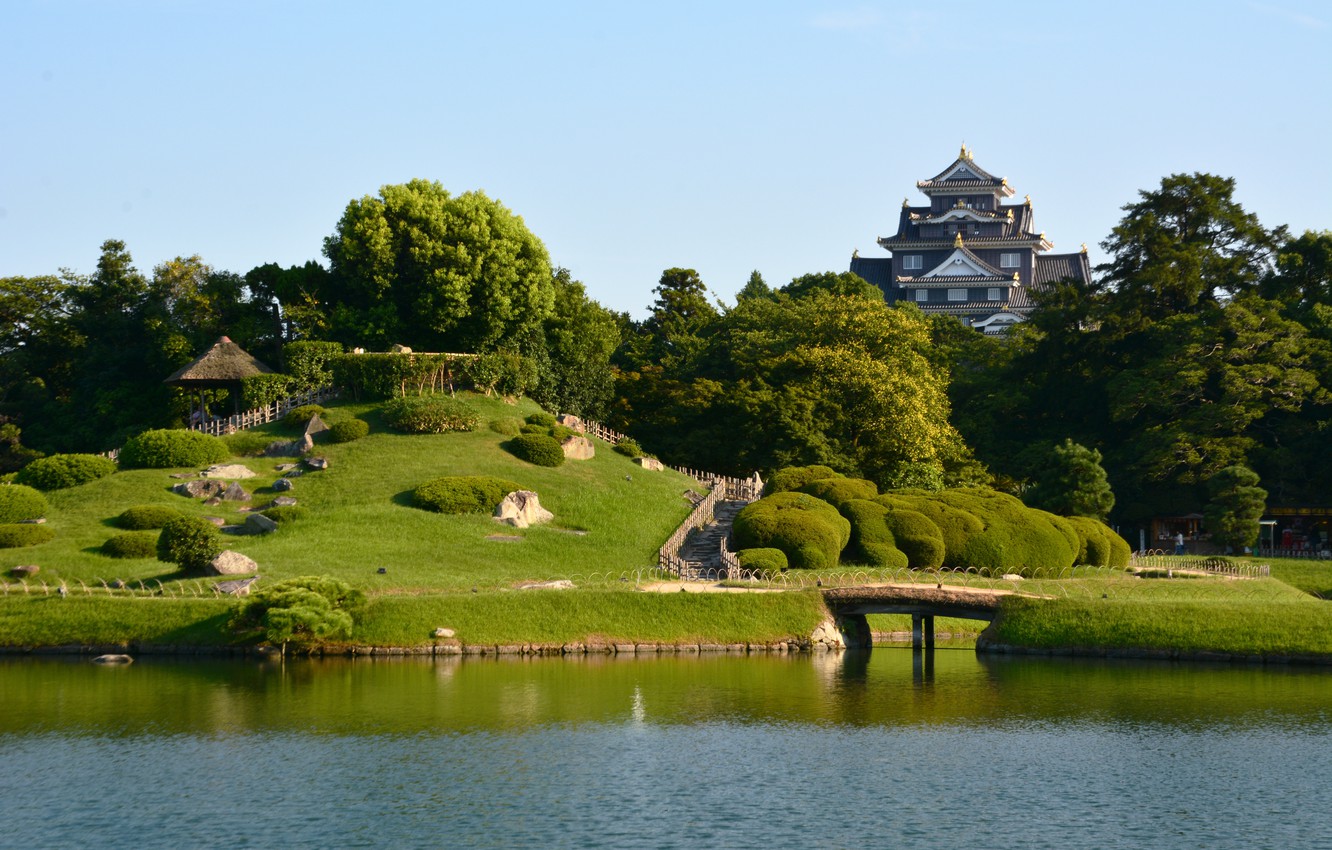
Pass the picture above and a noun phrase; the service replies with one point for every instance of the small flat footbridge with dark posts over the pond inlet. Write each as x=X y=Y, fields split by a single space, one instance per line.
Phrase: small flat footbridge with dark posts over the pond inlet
x=924 y=603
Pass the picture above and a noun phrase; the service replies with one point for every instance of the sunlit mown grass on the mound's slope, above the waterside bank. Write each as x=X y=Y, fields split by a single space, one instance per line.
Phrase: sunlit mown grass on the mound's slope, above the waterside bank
x=611 y=516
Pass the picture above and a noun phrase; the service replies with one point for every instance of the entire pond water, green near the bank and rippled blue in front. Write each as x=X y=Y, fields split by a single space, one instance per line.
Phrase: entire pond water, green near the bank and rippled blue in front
x=876 y=749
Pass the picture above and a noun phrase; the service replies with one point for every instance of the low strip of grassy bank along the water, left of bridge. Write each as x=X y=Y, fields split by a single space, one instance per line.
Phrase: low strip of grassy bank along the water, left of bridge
x=547 y=618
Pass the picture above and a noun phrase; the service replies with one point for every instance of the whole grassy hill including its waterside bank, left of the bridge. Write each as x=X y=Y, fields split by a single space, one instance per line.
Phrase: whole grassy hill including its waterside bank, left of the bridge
x=440 y=571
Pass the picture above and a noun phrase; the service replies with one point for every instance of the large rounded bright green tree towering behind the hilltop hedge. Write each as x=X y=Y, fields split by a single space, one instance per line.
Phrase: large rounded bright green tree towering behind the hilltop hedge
x=424 y=268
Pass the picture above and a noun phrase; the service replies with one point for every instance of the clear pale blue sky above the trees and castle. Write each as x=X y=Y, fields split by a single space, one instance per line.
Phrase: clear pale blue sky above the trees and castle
x=724 y=137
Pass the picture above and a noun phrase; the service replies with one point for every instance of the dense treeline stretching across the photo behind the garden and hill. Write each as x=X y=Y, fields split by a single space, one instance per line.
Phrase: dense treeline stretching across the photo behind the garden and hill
x=1205 y=344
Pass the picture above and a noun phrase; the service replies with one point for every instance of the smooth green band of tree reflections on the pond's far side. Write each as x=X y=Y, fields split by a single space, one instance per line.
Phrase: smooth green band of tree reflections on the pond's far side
x=359 y=697
